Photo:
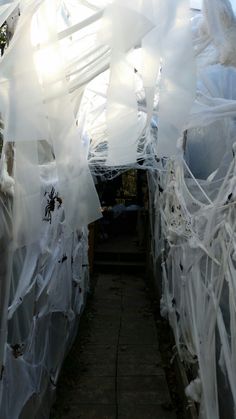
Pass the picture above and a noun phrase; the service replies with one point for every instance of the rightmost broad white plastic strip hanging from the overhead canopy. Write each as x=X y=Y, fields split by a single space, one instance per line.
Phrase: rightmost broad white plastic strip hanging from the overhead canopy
x=177 y=87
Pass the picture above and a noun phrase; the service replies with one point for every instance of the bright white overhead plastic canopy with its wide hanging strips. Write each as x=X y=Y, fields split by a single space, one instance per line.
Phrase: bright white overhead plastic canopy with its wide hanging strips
x=43 y=80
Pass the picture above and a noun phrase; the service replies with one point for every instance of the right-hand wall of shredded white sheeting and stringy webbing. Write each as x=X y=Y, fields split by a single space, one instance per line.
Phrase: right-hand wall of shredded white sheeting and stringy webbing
x=193 y=221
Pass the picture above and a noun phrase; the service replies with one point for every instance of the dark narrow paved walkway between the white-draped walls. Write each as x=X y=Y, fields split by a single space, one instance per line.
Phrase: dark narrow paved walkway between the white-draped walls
x=114 y=370
